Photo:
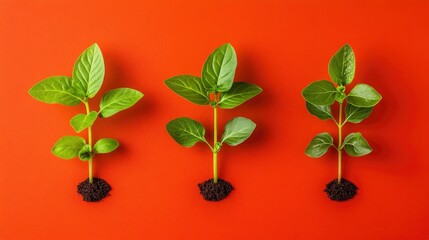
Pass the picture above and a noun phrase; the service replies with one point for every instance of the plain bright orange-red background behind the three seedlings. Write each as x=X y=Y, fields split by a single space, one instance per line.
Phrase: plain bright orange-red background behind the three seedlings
x=281 y=46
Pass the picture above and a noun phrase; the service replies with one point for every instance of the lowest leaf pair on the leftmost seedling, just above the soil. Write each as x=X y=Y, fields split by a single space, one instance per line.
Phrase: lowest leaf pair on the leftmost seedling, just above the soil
x=69 y=147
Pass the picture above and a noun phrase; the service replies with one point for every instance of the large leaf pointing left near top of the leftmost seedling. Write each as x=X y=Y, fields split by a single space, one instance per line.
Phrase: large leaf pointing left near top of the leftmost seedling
x=56 y=89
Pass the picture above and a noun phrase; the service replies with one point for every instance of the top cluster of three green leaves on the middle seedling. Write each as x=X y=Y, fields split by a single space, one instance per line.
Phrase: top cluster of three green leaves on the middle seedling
x=217 y=77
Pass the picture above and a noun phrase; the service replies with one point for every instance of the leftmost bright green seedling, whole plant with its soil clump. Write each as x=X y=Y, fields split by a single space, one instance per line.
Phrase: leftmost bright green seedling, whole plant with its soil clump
x=86 y=81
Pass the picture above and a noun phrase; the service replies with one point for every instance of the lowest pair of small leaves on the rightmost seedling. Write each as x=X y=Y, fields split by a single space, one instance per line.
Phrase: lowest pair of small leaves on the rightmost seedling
x=354 y=144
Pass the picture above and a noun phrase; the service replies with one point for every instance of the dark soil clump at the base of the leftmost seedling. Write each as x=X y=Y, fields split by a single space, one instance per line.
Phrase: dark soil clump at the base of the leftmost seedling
x=95 y=191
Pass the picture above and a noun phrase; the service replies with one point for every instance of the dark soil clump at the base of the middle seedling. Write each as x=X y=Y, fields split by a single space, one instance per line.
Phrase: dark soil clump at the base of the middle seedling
x=215 y=191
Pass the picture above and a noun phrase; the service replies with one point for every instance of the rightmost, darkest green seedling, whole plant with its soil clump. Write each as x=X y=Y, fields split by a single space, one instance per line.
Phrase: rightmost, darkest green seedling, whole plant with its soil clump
x=359 y=103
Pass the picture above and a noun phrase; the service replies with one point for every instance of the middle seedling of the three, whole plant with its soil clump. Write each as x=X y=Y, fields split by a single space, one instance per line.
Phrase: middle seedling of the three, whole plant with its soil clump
x=216 y=89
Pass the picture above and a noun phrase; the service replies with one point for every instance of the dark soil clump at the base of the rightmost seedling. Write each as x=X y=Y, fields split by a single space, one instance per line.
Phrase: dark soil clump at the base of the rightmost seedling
x=342 y=191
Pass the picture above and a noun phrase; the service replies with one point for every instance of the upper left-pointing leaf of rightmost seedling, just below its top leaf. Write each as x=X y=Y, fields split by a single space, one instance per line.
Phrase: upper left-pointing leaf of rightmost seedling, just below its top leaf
x=320 y=93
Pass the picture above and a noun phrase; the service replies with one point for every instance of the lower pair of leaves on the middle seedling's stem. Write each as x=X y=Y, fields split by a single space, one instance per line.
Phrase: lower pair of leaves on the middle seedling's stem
x=187 y=132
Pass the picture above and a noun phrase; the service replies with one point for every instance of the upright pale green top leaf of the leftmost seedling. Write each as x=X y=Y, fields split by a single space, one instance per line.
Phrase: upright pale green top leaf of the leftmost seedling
x=88 y=71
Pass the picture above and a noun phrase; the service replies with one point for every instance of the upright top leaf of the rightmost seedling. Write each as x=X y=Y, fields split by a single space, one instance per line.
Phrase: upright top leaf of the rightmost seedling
x=342 y=66
